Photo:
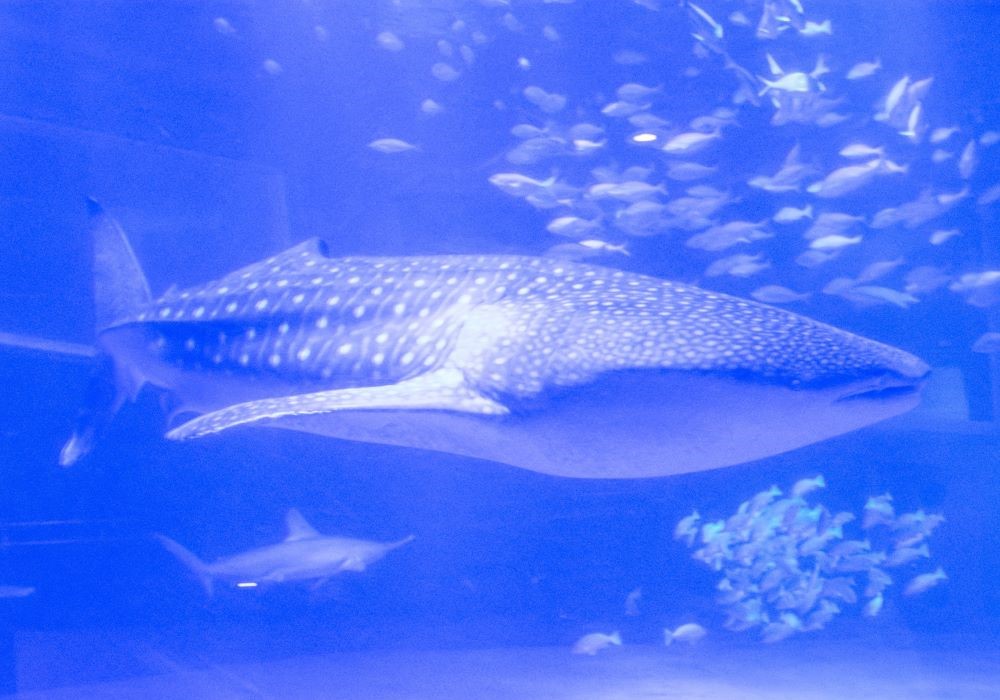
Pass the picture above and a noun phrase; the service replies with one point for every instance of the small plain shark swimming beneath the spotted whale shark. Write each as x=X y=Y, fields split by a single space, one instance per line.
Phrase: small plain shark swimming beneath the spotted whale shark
x=304 y=555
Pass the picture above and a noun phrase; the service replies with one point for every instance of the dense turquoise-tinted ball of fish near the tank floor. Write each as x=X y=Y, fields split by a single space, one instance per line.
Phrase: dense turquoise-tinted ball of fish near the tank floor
x=789 y=566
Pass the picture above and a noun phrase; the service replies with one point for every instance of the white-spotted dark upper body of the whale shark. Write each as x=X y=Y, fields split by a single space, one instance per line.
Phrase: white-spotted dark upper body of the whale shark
x=514 y=325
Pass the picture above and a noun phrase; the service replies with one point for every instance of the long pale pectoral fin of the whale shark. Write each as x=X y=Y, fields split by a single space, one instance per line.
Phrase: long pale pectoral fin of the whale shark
x=443 y=390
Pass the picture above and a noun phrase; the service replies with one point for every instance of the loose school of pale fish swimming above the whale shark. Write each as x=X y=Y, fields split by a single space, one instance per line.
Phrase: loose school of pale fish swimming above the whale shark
x=625 y=161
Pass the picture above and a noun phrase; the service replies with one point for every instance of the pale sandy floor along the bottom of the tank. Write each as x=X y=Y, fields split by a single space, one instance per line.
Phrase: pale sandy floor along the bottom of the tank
x=896 y=668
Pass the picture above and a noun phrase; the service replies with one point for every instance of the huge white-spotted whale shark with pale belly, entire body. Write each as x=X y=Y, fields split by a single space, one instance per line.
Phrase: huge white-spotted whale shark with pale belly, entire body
x=559 y=367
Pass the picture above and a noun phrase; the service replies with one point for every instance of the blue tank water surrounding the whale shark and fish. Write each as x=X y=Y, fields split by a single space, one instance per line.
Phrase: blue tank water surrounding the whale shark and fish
x=217 y=143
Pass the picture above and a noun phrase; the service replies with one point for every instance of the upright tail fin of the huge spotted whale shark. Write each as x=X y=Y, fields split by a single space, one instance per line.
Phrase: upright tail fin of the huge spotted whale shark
x=120 y=290
